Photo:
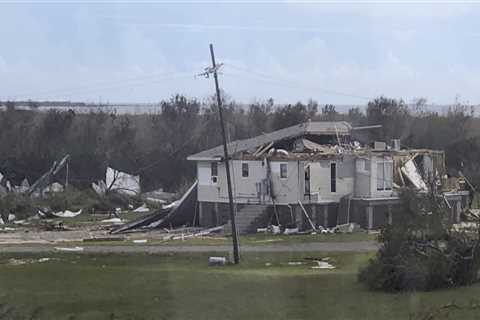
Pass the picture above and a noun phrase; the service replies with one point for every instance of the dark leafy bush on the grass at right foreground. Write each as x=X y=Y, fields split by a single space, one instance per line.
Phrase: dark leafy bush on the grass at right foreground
x=420 y=252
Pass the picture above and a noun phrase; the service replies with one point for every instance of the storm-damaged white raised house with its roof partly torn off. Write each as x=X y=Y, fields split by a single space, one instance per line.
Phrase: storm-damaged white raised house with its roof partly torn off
x=315 y=173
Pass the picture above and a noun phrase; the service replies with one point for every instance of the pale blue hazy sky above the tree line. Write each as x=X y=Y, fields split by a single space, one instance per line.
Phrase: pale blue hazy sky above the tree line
x=334 y=53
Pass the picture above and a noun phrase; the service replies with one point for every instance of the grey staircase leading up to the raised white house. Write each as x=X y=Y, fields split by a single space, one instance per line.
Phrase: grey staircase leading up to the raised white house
x=246 y=217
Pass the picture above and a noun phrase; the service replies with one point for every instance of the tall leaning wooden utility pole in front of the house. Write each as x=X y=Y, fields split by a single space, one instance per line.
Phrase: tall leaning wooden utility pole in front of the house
x=208 y=71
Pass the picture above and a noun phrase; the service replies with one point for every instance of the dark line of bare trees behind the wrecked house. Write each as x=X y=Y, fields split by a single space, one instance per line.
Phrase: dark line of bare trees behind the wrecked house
x=155 y=146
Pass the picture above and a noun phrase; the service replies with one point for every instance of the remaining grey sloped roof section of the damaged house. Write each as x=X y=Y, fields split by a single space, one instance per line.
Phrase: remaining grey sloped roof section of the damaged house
x=312 y=128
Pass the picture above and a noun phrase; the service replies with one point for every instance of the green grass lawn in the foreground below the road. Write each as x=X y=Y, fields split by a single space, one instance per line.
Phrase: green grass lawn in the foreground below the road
x=182 y=286
